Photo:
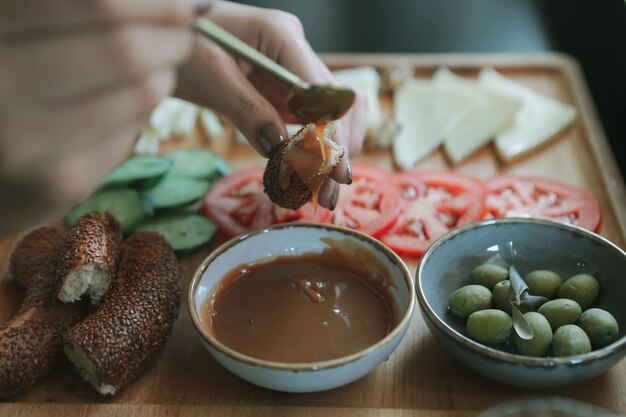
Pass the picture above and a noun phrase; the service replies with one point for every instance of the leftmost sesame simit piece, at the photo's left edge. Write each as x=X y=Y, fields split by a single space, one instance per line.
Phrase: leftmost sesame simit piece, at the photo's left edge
x=32 y=342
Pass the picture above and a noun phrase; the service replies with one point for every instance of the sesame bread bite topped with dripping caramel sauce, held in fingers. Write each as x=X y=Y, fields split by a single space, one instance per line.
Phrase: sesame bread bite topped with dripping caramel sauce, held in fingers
x=307 y=159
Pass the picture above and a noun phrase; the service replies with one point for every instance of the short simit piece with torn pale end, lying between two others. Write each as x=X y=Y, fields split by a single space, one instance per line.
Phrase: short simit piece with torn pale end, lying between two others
x=90 y=257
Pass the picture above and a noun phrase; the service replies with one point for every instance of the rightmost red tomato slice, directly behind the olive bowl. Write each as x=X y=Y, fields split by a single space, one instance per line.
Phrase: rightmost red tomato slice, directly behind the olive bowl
x=513 y=196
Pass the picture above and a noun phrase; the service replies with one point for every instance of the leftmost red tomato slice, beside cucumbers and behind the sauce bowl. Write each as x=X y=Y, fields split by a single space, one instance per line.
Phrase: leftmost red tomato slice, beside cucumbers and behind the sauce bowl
x=238 y=205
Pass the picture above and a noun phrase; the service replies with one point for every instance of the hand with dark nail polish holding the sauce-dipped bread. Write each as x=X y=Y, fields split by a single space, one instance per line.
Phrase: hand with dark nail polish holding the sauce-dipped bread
x=254 y=101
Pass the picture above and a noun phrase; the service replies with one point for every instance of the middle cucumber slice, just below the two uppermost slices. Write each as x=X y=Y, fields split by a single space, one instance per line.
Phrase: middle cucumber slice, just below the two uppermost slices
x=175 y=191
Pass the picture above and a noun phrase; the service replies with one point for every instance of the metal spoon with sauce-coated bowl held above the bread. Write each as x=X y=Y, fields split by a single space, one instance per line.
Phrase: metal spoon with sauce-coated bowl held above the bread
x=310 y=103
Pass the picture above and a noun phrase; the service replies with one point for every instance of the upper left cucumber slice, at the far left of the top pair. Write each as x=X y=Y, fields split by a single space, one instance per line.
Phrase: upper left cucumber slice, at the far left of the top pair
x=137 y=168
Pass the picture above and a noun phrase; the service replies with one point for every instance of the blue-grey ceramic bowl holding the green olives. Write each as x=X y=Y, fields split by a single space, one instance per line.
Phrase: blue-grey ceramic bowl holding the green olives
x=539 y=244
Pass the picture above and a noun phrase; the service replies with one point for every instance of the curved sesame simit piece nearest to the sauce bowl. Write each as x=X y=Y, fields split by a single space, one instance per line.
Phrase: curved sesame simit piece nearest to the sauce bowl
x=131 y=325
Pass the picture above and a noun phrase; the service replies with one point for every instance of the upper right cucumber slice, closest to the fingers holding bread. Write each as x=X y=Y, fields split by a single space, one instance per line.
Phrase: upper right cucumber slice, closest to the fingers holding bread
x=198 y=163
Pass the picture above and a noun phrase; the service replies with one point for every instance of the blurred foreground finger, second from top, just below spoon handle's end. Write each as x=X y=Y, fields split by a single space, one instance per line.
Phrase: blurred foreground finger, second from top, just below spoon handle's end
x=63 y=68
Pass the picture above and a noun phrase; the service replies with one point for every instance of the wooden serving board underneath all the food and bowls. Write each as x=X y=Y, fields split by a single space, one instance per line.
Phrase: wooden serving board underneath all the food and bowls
x=419 y=378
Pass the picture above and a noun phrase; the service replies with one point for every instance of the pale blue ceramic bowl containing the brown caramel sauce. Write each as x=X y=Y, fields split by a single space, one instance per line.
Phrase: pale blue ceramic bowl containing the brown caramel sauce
x=291 y=240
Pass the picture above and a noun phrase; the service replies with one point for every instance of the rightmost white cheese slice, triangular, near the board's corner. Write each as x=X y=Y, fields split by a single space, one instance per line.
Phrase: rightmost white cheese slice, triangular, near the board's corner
x=539 y=119
